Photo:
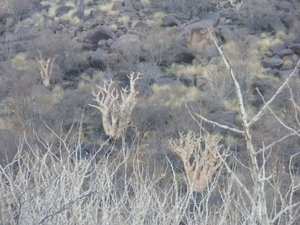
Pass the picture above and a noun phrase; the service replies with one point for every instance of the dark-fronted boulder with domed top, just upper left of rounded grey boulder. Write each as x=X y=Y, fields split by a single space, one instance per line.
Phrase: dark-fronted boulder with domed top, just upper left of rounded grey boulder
x=98 y=33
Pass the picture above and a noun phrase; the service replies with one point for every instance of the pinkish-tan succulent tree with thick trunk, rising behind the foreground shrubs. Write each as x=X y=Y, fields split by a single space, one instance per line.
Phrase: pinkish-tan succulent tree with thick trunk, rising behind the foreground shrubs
x=201 y=157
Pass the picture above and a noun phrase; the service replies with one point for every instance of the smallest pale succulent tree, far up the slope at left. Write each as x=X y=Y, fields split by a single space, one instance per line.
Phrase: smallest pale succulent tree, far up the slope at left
x=45 y=67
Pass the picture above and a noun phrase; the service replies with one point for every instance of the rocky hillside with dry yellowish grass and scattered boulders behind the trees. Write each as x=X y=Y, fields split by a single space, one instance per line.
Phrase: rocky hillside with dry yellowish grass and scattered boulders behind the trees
x=54 y=52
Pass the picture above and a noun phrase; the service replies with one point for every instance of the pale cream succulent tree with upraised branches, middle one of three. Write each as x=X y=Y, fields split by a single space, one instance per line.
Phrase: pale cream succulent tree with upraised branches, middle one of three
x=116 y=105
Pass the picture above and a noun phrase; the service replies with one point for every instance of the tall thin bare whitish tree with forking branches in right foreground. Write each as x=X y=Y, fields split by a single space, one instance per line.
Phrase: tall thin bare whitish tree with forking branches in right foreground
x=259 y=208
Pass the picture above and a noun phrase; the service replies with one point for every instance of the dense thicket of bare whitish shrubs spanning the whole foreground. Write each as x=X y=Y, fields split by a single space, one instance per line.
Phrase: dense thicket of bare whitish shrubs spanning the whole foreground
x=55 y=182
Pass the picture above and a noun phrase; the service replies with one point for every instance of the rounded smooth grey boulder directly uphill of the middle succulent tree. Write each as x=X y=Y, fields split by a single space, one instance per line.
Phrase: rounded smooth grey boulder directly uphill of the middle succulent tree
x=128 y=45
